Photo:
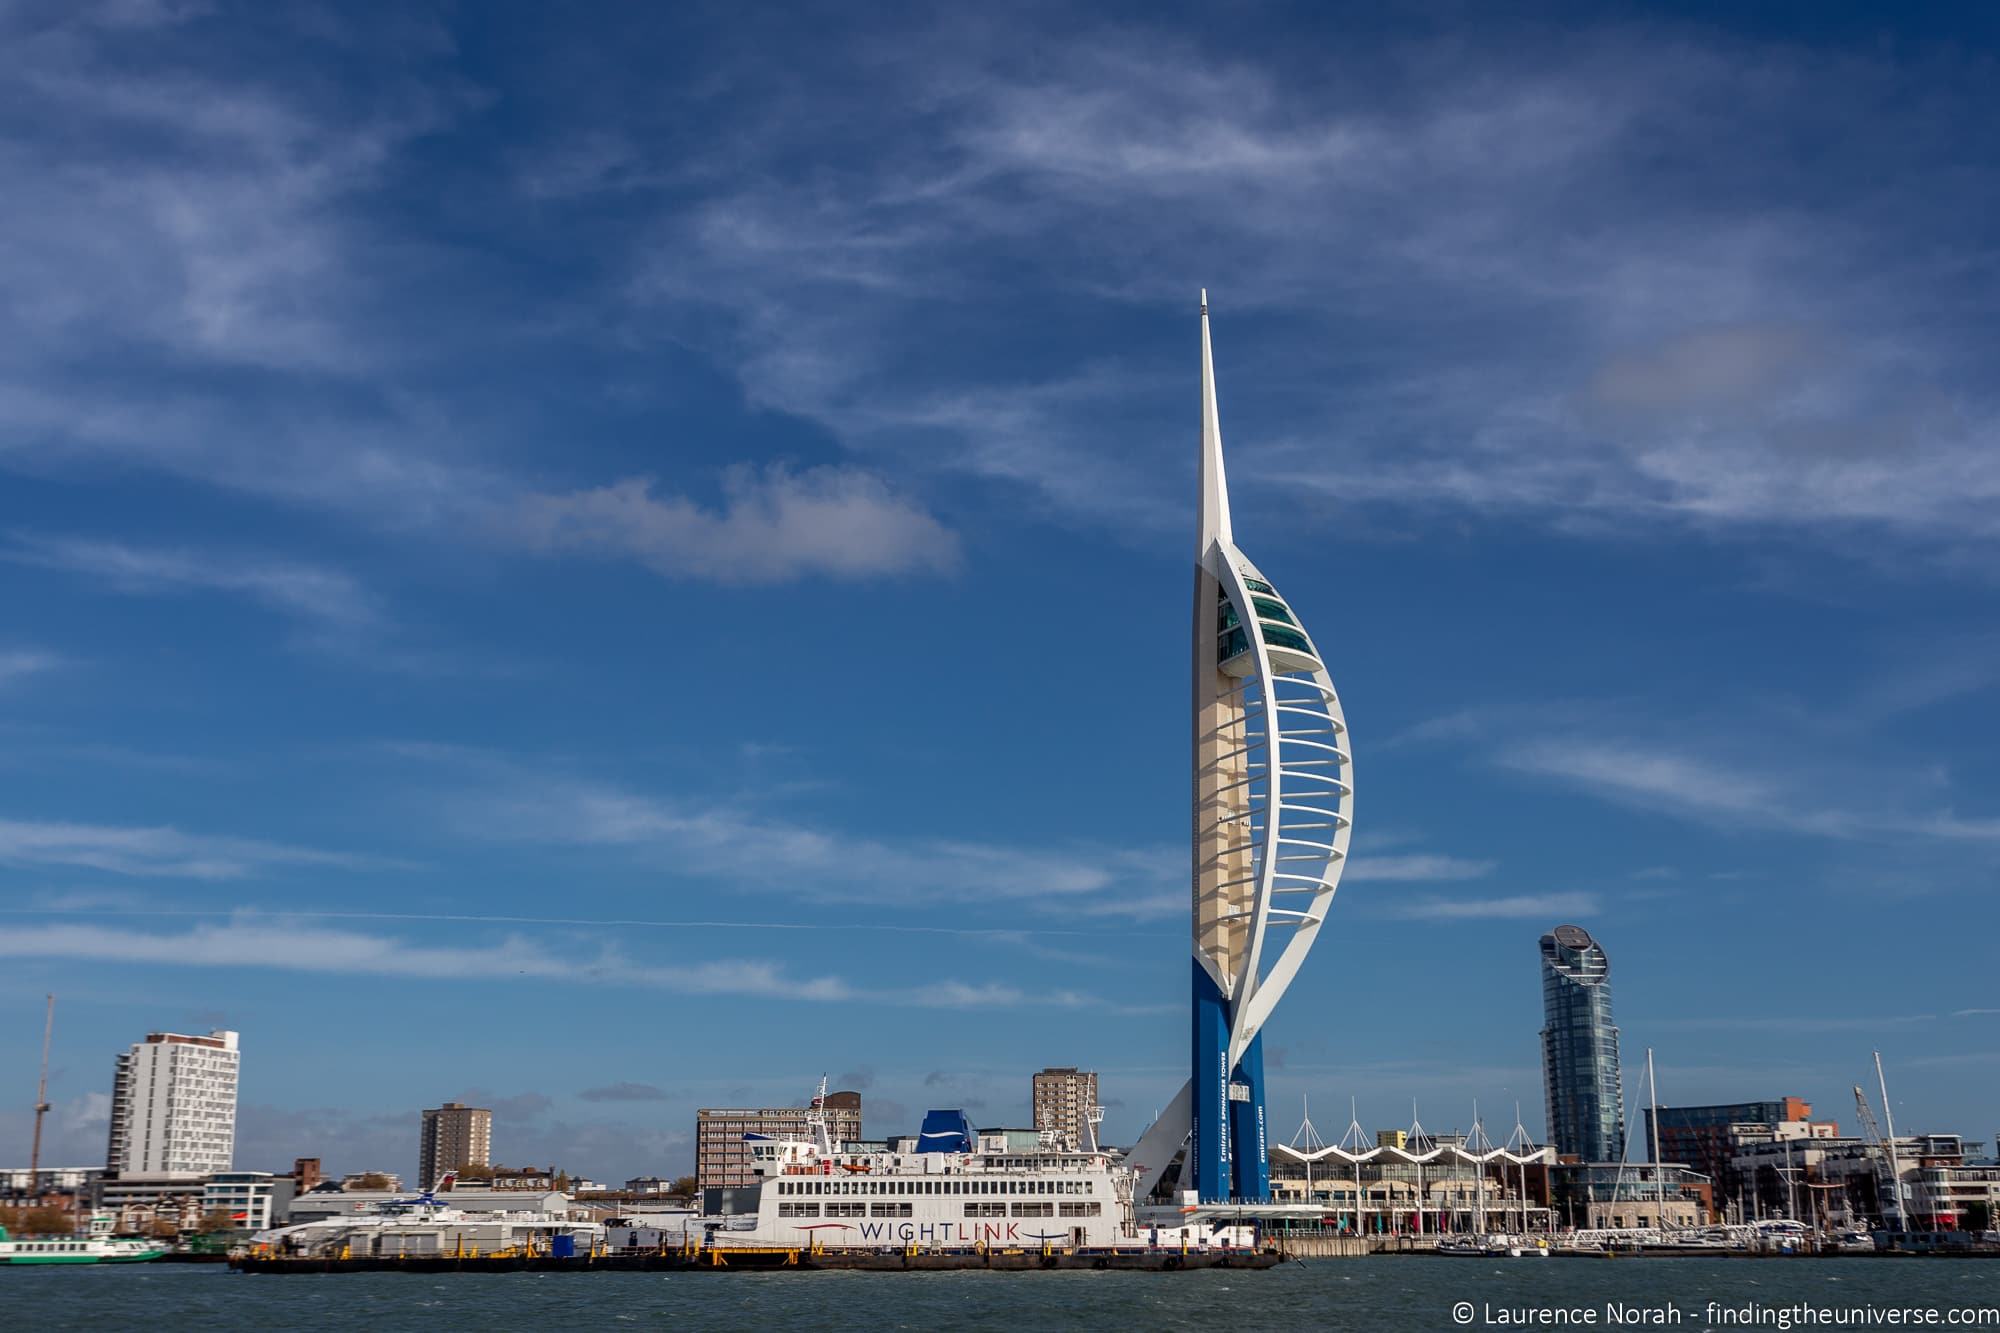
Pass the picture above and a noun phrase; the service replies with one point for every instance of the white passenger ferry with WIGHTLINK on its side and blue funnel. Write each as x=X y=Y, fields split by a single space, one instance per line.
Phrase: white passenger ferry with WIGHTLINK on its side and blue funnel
x=949 y=1192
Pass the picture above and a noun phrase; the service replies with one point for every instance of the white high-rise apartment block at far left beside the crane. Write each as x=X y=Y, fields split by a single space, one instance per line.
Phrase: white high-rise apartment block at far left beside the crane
x=175 y=1106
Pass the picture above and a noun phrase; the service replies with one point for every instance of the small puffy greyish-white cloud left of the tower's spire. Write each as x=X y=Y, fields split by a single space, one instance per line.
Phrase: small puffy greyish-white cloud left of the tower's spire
x=773 y=525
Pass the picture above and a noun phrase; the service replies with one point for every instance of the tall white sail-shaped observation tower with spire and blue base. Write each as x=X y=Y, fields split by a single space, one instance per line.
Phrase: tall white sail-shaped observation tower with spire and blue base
x=1273 y=814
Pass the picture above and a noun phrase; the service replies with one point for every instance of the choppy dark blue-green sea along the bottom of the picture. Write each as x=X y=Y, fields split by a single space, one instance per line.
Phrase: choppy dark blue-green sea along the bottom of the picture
x=1387 y=1292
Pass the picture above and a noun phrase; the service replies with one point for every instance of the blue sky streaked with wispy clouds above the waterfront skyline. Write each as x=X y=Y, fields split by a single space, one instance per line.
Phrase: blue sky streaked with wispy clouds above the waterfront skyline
x=617 y=559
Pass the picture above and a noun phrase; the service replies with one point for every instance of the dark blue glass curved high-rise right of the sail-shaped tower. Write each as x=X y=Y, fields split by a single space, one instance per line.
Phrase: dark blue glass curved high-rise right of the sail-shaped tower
x=1581 y=1048
